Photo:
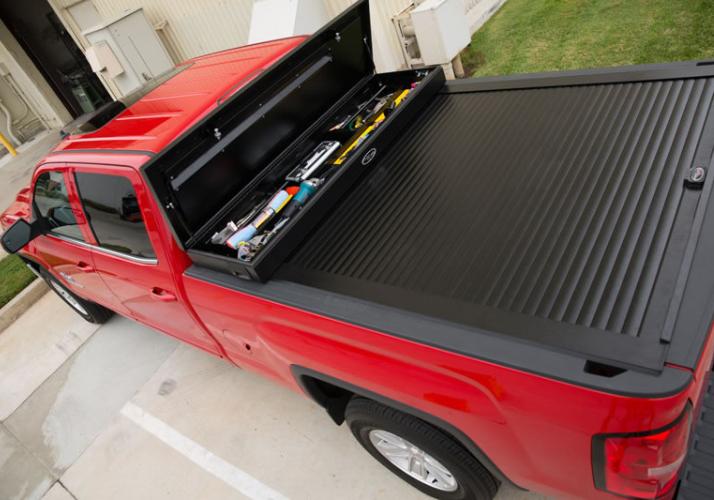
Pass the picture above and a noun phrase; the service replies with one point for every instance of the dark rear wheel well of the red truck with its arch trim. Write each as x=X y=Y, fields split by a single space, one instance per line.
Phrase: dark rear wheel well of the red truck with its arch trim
x=334 y=395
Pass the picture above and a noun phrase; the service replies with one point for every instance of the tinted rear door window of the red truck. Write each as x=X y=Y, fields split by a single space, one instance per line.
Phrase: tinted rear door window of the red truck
x=114 y=215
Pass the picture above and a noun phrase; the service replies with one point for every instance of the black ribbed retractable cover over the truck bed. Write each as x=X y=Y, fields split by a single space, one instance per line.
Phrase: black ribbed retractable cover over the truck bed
x=551 y=208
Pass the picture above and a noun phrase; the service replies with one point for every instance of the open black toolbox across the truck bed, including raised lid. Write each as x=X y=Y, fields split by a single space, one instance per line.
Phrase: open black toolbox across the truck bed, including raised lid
x=235 y=159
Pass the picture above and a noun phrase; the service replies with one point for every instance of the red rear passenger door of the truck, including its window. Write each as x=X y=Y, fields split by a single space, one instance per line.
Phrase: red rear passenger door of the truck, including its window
x=129 y=255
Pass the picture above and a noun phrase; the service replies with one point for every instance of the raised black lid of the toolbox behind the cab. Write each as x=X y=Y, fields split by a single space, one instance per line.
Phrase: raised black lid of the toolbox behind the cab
x=218 y=158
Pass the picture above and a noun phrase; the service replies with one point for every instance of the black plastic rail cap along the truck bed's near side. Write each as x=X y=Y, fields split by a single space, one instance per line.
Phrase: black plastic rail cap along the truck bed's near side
x=527 y=356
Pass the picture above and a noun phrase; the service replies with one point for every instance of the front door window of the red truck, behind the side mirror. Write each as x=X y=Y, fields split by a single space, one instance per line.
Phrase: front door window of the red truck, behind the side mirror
x=52 y=204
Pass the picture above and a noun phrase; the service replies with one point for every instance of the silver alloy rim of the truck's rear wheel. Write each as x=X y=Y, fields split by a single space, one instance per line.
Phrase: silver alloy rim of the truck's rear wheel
x=413 y=461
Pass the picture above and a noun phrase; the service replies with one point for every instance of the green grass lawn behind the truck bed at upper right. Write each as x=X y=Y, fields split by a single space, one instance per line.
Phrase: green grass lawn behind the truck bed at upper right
x=550 y=35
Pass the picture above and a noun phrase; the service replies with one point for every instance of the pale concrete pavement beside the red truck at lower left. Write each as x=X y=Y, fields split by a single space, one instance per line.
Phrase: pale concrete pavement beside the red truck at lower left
x=123 y=412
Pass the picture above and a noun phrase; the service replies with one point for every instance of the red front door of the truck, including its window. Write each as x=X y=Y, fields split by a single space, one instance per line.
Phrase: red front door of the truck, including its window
x=64 y=250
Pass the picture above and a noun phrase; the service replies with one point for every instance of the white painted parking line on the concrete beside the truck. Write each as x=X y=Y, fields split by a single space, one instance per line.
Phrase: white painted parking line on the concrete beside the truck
x=226 y=472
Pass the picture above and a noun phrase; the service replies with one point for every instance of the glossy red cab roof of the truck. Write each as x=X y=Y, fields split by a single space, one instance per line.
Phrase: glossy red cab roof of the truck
x=161 y=116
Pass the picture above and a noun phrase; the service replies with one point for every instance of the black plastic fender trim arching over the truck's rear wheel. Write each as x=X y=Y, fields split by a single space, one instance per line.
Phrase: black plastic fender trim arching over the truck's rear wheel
x=301 y=374
